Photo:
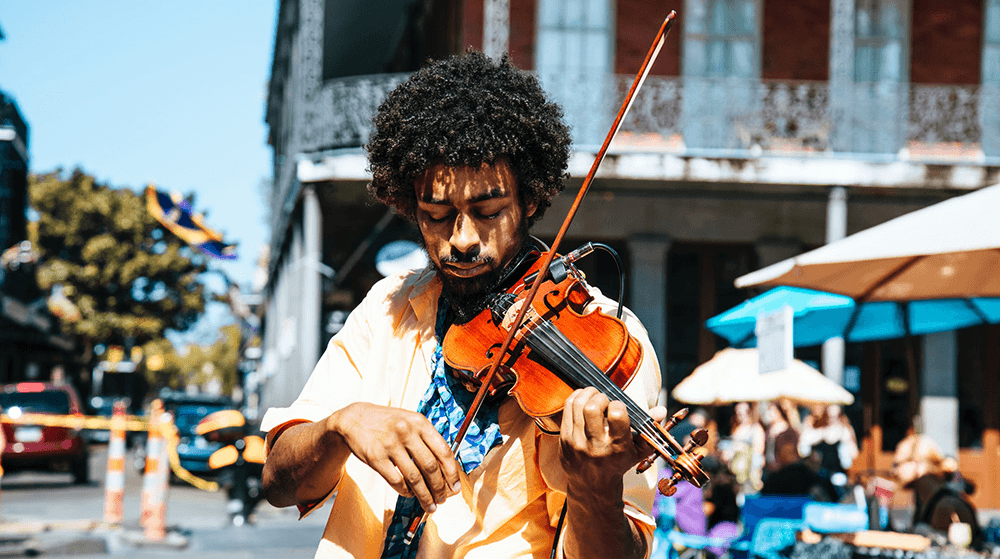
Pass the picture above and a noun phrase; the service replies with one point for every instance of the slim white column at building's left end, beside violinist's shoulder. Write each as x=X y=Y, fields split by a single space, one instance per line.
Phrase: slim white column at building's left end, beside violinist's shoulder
x=310 y=296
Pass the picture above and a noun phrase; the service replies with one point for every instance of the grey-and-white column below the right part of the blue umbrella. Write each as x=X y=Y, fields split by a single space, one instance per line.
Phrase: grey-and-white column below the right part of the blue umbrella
x=939 y=380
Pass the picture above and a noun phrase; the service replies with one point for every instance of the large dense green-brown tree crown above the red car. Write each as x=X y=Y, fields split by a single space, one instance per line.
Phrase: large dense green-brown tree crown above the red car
x=129 y=277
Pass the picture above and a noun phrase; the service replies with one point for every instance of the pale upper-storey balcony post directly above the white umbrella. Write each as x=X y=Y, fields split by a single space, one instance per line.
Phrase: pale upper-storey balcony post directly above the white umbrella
x=841 y=73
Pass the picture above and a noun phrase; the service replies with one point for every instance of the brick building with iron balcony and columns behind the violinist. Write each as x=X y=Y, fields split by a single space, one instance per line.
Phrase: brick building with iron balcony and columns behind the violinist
x=765 y=129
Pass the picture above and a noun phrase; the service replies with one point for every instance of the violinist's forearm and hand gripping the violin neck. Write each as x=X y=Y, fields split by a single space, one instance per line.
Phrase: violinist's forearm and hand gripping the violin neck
x=596 y=450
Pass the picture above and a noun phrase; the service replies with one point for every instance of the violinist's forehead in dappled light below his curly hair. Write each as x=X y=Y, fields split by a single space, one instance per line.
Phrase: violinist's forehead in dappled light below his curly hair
x=441 y=184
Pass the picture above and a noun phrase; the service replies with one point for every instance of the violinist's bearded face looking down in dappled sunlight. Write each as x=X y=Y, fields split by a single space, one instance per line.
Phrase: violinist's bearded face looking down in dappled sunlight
x=472 y=223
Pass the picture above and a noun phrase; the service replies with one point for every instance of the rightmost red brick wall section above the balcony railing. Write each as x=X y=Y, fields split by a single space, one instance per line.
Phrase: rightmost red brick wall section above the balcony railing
x=946 y=41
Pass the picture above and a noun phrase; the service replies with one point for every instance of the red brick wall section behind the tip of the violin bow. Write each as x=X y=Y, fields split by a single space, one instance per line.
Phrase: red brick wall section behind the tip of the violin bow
x=637 y=24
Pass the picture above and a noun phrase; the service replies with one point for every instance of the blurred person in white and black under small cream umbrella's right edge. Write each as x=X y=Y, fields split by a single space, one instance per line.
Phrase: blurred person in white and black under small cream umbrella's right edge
x=828 y=433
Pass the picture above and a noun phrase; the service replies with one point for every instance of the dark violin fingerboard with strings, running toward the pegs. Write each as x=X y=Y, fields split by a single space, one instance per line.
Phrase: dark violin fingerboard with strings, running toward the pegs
x=552 y=344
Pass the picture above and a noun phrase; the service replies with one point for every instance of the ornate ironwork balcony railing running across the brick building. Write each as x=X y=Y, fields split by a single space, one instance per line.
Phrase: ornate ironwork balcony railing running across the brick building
x=735 y=117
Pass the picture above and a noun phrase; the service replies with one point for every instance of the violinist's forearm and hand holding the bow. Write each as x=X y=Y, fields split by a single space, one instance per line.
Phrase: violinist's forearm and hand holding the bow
x=307 y=461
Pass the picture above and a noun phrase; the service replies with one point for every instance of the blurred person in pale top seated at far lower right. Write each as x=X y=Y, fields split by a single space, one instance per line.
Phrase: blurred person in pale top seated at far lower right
x=919 y=466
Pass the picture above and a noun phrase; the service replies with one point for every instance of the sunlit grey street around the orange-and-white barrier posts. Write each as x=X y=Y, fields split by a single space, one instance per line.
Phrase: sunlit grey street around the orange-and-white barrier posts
x=68 y=519
